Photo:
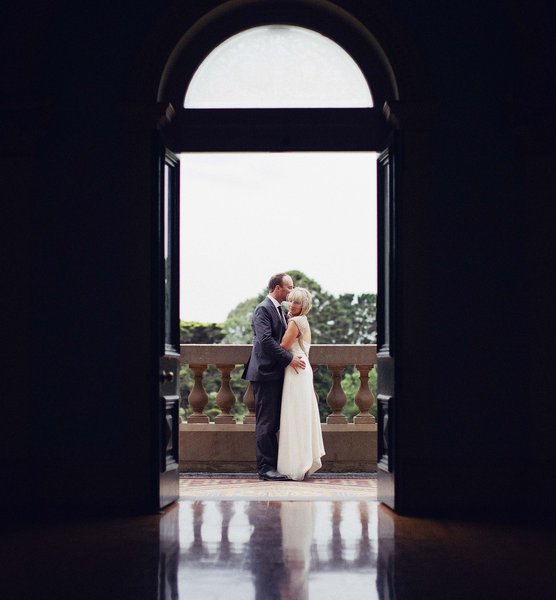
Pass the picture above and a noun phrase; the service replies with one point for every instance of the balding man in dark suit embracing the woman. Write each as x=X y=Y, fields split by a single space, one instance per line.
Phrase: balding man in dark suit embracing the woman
x=265 y=370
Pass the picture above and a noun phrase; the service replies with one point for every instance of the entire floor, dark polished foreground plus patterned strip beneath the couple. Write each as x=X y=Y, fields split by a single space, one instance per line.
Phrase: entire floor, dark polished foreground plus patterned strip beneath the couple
x=340 y=545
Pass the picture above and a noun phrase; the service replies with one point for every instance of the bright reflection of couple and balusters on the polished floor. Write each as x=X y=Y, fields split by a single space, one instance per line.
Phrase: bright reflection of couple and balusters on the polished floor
x=277 y=550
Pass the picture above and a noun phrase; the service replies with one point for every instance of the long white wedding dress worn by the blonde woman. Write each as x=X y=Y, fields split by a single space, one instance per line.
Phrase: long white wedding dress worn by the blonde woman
x=300 y=445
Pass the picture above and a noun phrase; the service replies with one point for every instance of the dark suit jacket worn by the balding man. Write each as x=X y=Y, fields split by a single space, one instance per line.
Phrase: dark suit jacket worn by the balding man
x=268 y=359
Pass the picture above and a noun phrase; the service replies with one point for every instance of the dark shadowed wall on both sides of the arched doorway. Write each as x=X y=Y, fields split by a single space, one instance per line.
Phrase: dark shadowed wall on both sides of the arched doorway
x=473 y=347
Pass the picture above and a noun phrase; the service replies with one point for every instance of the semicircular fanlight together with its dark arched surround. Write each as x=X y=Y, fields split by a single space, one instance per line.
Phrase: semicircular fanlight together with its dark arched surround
x=214 y=42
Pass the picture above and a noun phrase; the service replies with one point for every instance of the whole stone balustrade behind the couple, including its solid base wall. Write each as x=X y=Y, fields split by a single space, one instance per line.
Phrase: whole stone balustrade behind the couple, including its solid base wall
x=229 y=446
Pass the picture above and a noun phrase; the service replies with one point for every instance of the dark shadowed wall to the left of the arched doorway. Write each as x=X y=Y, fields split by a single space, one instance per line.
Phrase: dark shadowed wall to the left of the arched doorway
x=80 y=429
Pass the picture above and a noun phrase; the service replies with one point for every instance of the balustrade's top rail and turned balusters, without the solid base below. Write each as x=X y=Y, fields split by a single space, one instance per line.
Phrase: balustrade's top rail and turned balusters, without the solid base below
x=336 y=357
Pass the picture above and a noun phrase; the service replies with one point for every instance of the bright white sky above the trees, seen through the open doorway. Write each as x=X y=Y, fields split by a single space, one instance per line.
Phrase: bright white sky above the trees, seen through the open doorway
x=246 y=216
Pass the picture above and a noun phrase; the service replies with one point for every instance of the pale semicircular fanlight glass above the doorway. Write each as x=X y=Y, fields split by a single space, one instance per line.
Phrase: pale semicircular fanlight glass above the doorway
x=278 y=66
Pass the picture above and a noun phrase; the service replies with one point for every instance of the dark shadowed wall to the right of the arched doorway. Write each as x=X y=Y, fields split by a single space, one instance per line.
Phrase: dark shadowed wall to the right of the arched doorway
x=472 y=389
